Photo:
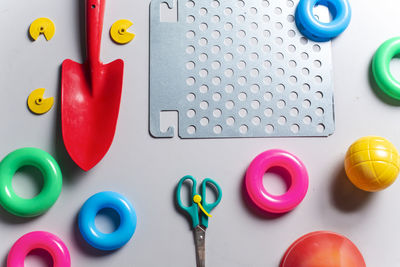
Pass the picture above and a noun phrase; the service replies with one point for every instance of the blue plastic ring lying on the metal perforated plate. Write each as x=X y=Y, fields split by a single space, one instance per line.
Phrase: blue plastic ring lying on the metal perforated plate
x=319 y=31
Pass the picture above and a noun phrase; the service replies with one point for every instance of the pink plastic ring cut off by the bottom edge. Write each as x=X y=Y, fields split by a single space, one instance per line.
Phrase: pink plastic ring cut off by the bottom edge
x=39 y=240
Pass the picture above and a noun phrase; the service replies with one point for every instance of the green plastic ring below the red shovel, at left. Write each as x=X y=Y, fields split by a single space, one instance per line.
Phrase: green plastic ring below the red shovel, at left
x=52 y=182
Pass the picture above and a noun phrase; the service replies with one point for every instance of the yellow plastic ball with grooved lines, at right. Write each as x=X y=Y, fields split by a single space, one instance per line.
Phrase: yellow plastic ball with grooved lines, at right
x=372 y=163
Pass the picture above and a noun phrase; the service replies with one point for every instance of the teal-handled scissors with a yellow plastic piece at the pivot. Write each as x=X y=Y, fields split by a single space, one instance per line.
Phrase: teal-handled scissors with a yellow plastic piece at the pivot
x=199 y=207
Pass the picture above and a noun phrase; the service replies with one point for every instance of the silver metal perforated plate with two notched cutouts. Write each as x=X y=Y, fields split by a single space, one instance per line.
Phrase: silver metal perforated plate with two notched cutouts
x=238 y=68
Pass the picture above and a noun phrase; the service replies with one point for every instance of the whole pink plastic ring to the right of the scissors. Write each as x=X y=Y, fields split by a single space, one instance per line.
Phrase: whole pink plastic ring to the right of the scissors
x=298 y=181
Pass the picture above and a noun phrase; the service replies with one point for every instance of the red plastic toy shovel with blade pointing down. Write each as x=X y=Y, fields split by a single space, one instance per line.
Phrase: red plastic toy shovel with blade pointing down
x=90 y=96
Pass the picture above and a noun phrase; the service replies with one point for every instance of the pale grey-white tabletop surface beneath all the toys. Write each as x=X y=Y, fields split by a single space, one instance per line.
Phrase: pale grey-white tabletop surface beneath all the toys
x=146 y=170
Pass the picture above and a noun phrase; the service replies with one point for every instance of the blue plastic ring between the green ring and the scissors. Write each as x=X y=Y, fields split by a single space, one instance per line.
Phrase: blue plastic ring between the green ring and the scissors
x=121 y=235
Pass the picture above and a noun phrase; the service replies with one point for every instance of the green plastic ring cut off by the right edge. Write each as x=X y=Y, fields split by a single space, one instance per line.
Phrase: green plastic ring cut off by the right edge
x=381 y=67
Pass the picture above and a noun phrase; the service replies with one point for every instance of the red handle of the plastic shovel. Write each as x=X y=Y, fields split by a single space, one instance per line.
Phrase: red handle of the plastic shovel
x=94 y=27
